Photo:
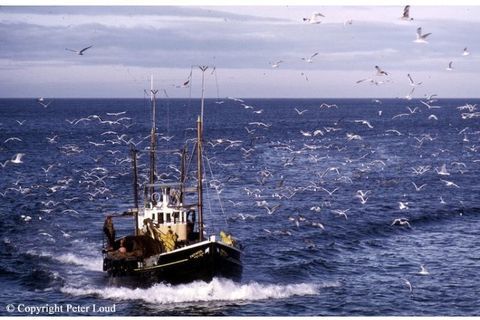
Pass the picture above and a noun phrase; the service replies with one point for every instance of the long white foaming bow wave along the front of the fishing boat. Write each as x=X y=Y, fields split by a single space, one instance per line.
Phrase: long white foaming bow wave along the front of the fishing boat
x=216 y=290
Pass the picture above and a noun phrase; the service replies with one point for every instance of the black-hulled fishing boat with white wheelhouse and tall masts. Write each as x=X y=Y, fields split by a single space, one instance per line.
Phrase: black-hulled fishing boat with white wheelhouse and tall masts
x=169 y=242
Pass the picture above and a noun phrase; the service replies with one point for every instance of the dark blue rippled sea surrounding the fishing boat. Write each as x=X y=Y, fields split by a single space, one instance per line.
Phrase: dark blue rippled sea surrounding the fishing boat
x=321 y=252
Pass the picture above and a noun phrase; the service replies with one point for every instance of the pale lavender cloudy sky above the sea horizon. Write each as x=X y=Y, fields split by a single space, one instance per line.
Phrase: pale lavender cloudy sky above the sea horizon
x=131 y=43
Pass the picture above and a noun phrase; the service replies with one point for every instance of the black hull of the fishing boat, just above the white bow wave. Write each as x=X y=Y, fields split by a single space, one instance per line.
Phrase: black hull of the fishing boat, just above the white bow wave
x=200 y=261
